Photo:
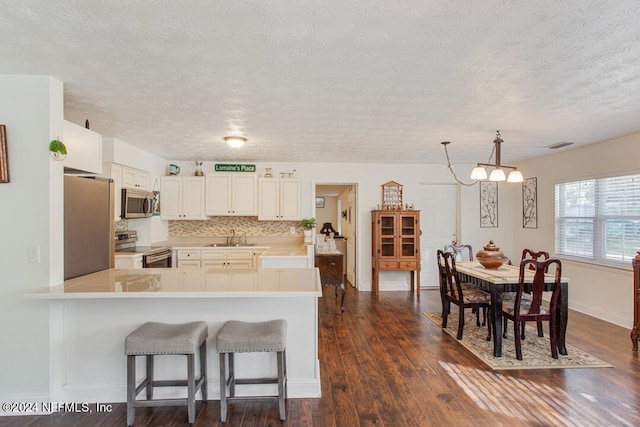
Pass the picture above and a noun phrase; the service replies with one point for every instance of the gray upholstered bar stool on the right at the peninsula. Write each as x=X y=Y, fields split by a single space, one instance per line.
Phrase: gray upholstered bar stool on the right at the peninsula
x=246 y=337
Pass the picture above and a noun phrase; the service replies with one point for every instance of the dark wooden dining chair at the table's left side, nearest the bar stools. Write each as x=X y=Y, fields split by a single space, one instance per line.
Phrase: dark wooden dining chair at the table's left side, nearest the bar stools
x=464 y=295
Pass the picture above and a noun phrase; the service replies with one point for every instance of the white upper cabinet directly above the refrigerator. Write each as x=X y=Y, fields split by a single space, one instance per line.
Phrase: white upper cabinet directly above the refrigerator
x=84 y=148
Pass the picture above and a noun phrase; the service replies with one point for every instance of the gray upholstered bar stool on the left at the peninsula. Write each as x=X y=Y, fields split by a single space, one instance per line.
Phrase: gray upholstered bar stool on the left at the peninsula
x=158 y=339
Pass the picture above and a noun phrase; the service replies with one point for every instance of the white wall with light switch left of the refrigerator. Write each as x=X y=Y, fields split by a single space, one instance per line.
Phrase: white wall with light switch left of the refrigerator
x=31 y=216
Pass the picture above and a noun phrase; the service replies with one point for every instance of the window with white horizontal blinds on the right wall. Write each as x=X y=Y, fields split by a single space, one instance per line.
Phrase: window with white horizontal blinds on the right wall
x=599 y=219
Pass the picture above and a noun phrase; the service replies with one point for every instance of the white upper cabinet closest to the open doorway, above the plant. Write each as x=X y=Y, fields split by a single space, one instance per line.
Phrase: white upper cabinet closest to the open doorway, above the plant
x=279 y=199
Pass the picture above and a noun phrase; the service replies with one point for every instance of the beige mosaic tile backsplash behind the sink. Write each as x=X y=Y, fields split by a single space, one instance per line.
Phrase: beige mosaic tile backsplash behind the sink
x=221 y=226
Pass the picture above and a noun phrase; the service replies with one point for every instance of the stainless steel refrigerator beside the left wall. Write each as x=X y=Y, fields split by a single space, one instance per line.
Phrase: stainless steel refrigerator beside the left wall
x=88 y=225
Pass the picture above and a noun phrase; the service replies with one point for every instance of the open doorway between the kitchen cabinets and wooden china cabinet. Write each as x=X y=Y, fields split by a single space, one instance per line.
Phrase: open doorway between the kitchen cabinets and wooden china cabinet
x=336 y=204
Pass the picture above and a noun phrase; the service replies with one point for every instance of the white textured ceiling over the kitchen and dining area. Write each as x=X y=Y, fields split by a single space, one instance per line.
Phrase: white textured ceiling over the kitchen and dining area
x=336 y=80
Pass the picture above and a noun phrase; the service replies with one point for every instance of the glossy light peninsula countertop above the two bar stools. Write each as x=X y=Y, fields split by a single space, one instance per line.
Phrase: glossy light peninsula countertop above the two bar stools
x=188 y=283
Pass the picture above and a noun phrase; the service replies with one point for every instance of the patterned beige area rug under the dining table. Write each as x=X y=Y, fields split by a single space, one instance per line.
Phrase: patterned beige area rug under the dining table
x=536 y=351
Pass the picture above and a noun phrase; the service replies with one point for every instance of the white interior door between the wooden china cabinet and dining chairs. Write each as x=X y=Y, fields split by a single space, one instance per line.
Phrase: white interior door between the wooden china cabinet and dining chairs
x=439 y=220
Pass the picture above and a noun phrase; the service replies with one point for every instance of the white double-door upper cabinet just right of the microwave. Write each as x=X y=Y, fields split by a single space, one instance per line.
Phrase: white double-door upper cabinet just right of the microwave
x=182 y=197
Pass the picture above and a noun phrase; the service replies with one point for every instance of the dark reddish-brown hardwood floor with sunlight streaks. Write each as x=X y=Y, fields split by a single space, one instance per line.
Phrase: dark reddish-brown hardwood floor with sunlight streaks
x=383 y=363
